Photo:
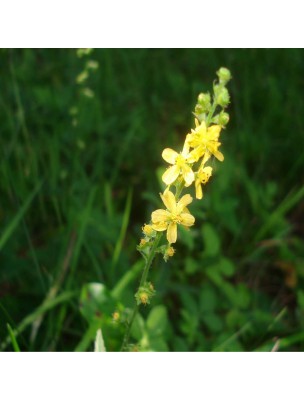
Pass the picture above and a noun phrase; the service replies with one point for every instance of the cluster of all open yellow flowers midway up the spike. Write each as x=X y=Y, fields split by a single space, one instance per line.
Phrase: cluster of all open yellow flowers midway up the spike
x=200 y=144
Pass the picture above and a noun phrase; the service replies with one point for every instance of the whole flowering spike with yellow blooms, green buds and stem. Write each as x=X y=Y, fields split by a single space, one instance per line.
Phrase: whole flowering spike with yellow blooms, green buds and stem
x=186 y=168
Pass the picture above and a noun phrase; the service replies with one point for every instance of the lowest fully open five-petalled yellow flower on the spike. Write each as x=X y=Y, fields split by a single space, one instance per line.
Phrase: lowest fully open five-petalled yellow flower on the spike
x=176 y=213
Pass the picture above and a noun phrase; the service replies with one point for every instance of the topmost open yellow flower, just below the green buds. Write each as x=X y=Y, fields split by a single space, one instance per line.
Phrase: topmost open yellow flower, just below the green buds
x=204 y=141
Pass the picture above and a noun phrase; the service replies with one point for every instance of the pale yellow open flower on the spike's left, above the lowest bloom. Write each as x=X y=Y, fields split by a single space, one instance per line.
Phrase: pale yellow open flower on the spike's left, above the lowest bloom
x=180 y=165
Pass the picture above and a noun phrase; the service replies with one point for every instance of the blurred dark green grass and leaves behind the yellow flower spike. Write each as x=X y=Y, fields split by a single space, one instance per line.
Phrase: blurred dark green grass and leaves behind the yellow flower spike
x=81 y=141
